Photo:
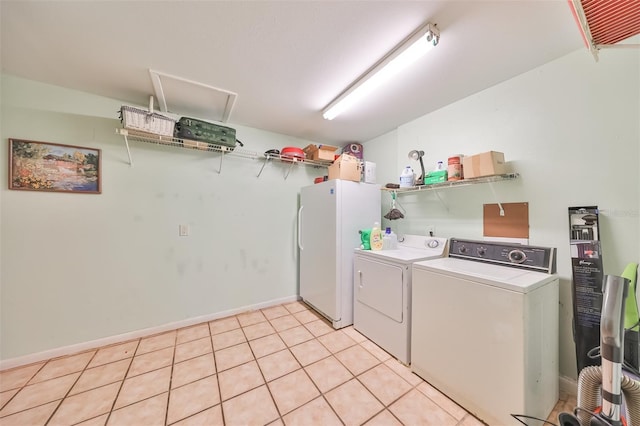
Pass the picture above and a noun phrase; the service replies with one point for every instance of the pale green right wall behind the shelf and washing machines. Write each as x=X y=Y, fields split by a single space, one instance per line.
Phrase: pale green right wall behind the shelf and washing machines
x=571 y=128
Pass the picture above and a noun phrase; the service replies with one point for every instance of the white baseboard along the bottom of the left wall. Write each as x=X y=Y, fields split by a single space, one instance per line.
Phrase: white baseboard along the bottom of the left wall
x=84 y=346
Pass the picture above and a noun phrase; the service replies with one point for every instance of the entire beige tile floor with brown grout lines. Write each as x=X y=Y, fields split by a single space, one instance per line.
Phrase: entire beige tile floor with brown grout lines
x=280 y=365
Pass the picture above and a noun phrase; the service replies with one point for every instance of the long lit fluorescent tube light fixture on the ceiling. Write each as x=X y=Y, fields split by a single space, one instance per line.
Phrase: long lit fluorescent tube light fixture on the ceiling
x=403 y=55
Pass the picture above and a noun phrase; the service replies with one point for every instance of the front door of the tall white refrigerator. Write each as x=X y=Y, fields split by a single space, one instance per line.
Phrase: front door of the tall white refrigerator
x=318 y=252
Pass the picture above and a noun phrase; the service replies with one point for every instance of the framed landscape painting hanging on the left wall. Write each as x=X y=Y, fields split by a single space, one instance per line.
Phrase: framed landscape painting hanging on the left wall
x=52 y=167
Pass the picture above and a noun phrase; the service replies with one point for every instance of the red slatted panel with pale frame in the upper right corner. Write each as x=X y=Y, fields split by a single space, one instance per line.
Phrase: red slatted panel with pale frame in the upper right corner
x=605 y=23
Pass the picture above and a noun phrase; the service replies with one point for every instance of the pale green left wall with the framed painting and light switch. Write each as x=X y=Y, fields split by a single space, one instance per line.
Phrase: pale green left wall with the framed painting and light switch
x=78 y=267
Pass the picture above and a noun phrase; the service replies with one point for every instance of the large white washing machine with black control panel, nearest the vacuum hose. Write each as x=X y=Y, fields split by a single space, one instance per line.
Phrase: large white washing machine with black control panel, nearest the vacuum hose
x=485 y=328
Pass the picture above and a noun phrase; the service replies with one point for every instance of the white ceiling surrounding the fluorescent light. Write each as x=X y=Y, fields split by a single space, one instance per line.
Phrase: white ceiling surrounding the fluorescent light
x=286 y=60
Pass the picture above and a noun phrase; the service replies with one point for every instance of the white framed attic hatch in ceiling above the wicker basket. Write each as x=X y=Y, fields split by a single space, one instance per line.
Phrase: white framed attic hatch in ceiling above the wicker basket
x=189 y=98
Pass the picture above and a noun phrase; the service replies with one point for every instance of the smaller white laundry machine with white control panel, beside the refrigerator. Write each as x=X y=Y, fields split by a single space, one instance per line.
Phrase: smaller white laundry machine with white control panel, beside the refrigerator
x=382 y=291
